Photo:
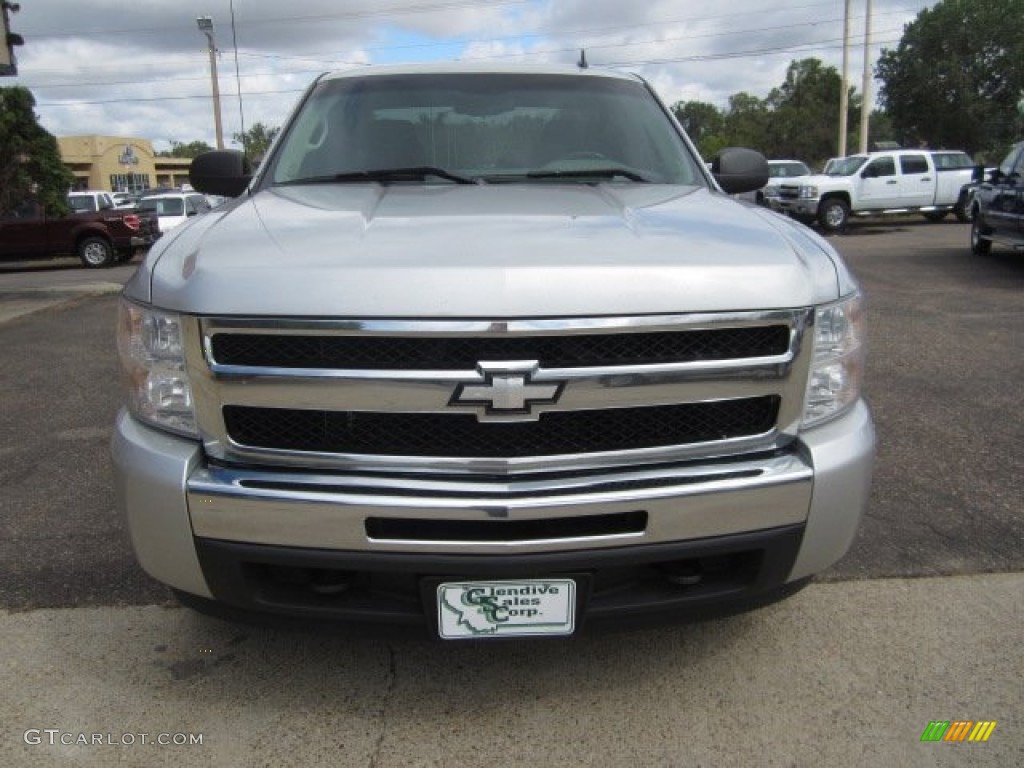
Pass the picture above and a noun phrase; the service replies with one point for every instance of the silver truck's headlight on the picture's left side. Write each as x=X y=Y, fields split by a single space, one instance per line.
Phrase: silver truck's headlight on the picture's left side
x=152 y=353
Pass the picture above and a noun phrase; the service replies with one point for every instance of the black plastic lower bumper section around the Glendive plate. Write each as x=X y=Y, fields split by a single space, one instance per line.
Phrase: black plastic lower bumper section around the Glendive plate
x=625 y=587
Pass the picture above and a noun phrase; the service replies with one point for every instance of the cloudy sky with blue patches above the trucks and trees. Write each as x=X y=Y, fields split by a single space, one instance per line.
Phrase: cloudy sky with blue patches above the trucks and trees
x=141 y=69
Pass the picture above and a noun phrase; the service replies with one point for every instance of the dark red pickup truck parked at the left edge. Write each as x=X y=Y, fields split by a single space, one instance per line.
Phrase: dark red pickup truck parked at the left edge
x=99 y=238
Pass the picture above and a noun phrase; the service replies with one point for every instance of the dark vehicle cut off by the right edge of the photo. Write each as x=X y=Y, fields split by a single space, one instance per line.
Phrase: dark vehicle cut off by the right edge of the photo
x=999 y=205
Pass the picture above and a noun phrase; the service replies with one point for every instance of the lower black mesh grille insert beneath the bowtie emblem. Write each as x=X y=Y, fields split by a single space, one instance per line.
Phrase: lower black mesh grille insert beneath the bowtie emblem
x=461 y=436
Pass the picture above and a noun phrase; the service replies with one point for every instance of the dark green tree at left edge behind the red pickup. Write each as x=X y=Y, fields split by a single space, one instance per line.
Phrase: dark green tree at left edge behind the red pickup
x=30 y=159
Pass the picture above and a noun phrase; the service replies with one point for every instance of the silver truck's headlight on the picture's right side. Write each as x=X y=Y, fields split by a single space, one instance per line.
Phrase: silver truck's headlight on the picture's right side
x=838 y=367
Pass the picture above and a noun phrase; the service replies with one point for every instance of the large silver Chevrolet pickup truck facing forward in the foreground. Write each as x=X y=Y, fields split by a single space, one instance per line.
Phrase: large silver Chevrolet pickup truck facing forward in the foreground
x=490 y=352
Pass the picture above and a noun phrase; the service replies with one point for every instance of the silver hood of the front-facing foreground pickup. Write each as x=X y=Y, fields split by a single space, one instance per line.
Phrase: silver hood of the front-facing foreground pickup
x=488 y=251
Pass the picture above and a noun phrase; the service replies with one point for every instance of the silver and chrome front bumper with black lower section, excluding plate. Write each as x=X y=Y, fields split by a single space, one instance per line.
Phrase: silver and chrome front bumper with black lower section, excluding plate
x=265 y=541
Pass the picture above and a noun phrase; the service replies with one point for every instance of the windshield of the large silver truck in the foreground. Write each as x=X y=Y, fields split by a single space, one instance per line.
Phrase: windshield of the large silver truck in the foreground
x=446 y=129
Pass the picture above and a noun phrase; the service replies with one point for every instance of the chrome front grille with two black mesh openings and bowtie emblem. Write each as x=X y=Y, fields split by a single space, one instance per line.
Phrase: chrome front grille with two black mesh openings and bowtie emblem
x=459 y=397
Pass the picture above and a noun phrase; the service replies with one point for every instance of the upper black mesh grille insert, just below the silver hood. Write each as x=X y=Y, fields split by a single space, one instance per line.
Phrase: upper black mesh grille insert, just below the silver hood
x=462 y=354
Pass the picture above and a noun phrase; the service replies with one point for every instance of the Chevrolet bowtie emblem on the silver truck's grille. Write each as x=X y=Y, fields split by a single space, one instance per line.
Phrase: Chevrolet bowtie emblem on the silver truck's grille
x=508 y=393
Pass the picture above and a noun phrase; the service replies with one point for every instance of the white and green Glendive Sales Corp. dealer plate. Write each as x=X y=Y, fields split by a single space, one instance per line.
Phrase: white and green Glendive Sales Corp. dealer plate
x=531 y=607
